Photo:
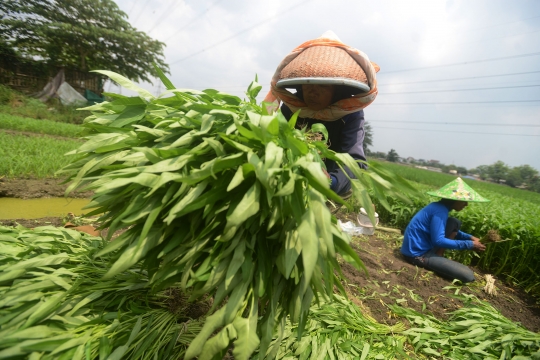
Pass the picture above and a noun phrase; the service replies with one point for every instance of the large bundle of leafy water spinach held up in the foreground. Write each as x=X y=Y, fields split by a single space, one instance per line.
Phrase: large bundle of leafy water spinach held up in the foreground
x=223 y=199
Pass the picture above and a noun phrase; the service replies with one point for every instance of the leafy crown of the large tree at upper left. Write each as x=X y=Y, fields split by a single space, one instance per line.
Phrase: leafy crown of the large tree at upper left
x=80 y=34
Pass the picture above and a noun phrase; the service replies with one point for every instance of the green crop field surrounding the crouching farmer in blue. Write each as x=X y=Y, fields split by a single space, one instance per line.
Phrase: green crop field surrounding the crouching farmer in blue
x=513 y=213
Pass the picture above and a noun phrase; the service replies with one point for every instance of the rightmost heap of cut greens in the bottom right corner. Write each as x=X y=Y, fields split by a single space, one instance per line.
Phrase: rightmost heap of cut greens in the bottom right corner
x=476 y=331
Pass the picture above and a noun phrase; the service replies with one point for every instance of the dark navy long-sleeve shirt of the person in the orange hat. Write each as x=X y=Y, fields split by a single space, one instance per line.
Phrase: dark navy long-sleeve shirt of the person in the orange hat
x=345 y=135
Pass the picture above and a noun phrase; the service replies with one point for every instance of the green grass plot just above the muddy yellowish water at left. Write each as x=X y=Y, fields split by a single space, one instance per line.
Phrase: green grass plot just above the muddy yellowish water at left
x=33 y=157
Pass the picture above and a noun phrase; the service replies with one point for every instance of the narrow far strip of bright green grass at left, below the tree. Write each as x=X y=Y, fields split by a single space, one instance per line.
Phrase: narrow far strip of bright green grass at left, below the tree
x=48 y=127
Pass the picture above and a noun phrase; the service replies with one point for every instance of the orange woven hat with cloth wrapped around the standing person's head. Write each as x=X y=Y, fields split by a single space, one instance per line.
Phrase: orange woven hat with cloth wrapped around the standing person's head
x=325 y=60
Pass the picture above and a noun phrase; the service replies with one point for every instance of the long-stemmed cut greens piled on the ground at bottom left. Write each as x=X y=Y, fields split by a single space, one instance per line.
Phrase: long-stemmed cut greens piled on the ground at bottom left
x=54 y=303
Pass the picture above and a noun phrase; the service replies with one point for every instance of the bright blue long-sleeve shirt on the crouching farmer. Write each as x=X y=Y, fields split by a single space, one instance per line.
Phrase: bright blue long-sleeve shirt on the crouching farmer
x=426 y=232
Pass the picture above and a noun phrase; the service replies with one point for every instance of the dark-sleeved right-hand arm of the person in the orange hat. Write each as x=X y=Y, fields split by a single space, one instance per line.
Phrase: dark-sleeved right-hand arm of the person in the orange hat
x=351 y=142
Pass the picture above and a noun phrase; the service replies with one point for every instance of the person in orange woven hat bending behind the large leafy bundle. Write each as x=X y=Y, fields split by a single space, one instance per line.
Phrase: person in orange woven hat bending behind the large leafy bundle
x=330 y=83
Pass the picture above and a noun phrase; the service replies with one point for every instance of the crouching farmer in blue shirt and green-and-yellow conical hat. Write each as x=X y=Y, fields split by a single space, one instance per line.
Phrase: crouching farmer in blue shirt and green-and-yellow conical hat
x=431 y=231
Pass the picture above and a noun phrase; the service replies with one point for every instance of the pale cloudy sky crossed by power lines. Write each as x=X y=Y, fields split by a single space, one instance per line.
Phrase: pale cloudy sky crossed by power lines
x=459 y=79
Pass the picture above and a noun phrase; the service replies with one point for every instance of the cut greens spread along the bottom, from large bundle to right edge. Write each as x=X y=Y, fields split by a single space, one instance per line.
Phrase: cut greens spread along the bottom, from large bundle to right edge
x=339 y=330
